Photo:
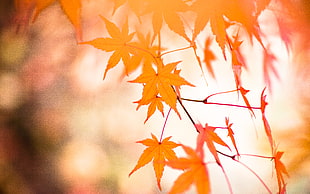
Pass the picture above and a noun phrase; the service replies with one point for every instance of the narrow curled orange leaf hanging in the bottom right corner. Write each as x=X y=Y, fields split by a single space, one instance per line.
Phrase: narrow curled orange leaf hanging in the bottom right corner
x=280 y=170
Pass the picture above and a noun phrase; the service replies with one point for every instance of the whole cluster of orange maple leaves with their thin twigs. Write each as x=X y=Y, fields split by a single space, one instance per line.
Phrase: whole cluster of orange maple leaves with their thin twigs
x=161 y=81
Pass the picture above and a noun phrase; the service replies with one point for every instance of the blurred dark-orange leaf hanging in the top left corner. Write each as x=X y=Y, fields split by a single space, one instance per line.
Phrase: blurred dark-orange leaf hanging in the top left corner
x=72 y=8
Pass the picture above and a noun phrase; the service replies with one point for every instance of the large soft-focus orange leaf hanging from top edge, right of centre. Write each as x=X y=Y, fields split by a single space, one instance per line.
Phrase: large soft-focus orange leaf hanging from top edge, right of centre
x=240 y=12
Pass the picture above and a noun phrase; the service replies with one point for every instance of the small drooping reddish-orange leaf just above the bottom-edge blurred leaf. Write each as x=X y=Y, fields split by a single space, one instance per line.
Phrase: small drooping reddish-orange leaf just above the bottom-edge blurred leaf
x=207 y=134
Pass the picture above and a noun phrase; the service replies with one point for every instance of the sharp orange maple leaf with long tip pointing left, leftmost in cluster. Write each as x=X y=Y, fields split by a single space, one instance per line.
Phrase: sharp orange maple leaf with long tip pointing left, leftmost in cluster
x=119 y=43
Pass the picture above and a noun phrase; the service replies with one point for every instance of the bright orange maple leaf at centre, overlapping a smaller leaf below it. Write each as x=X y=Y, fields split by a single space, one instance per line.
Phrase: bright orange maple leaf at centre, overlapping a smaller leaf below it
x=161 y=83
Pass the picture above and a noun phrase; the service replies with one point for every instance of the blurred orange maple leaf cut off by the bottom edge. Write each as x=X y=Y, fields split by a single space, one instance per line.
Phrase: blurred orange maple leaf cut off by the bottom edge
x=195 y=172
